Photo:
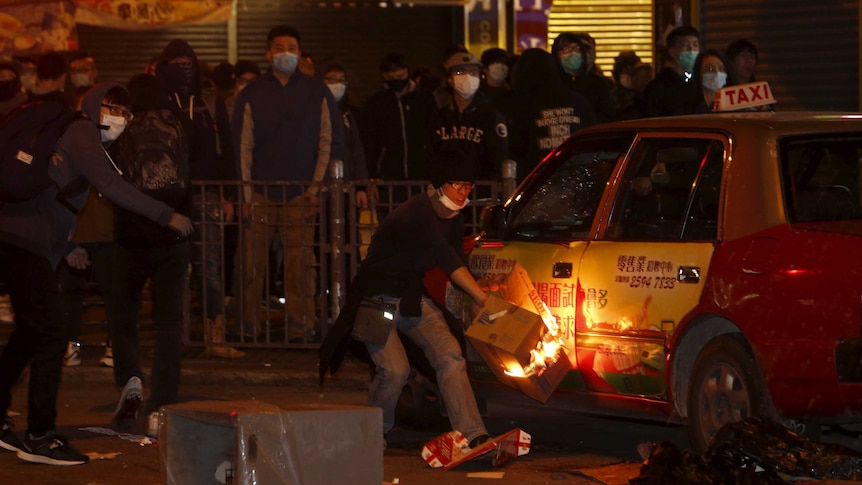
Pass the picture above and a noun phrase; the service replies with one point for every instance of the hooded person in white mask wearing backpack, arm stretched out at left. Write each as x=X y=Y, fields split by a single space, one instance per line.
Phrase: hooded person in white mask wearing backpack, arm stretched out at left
x=34 y=237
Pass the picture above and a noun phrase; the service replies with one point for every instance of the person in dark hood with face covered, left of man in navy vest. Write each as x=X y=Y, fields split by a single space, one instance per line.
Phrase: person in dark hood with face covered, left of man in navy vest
x=210 y=157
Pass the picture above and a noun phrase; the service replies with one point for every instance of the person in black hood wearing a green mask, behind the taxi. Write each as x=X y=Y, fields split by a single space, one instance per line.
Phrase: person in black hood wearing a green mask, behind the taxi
x=571 y=51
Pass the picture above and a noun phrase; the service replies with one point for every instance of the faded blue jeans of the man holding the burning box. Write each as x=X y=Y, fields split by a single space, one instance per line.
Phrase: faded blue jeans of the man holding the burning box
x=431 y=333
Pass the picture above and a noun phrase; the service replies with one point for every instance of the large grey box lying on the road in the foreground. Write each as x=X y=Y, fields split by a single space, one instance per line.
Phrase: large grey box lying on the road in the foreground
x=249 y=442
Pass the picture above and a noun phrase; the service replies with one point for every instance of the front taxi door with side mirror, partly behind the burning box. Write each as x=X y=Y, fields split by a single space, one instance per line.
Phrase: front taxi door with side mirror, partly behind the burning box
x=550 y=220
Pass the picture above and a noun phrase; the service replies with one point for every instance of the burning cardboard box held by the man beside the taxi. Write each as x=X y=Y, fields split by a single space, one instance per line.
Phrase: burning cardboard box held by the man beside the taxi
x=504 y=334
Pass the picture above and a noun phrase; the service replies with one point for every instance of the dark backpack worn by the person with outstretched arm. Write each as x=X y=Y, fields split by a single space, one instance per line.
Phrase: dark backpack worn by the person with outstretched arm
x=28 y=139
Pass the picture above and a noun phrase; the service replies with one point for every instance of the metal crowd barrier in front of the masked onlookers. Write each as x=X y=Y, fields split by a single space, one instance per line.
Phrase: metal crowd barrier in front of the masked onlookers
x=342 y=233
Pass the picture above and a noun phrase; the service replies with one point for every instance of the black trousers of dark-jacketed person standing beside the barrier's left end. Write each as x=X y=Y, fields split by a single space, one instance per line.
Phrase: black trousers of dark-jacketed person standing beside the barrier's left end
x=167 y=270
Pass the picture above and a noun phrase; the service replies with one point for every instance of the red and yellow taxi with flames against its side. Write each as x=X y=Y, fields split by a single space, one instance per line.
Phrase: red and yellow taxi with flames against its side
x=702 y=268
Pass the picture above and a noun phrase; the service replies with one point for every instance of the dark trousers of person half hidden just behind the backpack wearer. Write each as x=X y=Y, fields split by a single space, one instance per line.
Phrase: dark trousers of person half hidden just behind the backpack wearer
x=73 y=284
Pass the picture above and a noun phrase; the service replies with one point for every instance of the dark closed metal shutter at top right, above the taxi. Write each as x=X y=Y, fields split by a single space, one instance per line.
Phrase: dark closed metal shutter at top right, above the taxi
x=809 y=51
